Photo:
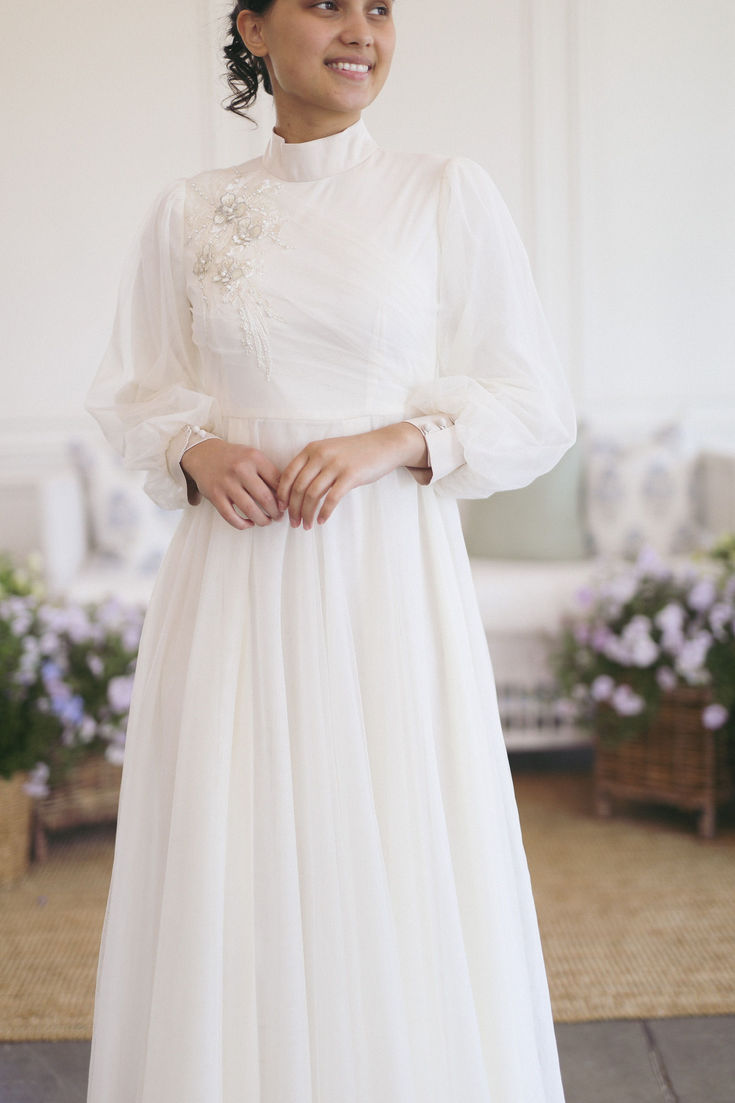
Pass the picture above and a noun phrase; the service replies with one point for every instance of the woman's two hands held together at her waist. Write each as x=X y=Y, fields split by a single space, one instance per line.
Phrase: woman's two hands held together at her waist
x=241 y=478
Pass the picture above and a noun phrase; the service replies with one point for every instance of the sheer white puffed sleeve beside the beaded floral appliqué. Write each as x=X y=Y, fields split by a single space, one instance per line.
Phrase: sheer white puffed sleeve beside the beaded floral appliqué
x=146 y=394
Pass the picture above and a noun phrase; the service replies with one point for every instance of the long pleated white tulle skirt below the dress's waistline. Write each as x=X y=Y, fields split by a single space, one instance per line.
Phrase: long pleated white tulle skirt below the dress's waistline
x=319 y=892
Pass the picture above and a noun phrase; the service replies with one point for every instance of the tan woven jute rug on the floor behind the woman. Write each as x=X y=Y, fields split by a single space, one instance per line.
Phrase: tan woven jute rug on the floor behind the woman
x=637 y=916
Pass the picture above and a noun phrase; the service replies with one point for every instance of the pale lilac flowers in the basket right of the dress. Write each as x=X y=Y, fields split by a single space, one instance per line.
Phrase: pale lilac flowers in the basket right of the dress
x=645 y=631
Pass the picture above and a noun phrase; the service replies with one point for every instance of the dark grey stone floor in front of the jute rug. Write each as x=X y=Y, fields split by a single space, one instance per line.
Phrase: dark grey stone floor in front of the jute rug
x=642 y=1062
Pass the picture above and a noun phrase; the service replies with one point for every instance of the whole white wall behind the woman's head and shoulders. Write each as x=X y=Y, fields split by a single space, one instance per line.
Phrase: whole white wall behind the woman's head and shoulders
x=608 y=125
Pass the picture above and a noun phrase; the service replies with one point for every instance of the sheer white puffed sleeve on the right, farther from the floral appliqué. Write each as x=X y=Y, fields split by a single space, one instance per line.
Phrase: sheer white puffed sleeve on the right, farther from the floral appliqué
x=507 y=414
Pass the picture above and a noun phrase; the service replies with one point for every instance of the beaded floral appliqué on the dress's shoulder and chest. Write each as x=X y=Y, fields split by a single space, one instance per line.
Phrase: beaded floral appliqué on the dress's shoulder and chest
x=229 y=238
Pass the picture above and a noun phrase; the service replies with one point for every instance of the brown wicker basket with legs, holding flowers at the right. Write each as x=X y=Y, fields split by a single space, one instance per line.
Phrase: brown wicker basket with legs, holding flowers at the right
x=675 y=762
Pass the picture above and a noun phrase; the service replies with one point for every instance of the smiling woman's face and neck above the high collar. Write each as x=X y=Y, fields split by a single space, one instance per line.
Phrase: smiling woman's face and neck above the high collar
x=327 y=60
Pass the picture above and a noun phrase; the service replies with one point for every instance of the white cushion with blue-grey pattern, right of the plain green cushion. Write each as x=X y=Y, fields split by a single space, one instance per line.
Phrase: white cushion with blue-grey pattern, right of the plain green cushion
x=642 y=491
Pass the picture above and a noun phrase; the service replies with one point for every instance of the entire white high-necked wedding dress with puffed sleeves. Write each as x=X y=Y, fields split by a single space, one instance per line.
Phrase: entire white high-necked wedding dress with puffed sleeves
x=319 y=892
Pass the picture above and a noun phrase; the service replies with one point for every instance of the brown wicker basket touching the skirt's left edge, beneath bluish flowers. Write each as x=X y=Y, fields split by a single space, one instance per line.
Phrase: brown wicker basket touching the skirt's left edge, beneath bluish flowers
x=89 y=796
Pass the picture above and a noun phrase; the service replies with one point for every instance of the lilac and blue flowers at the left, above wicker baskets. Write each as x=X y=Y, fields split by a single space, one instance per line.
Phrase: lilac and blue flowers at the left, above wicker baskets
x=66 y=678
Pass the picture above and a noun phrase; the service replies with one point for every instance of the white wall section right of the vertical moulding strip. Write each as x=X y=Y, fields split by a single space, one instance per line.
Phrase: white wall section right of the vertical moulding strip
x=657 y=147
